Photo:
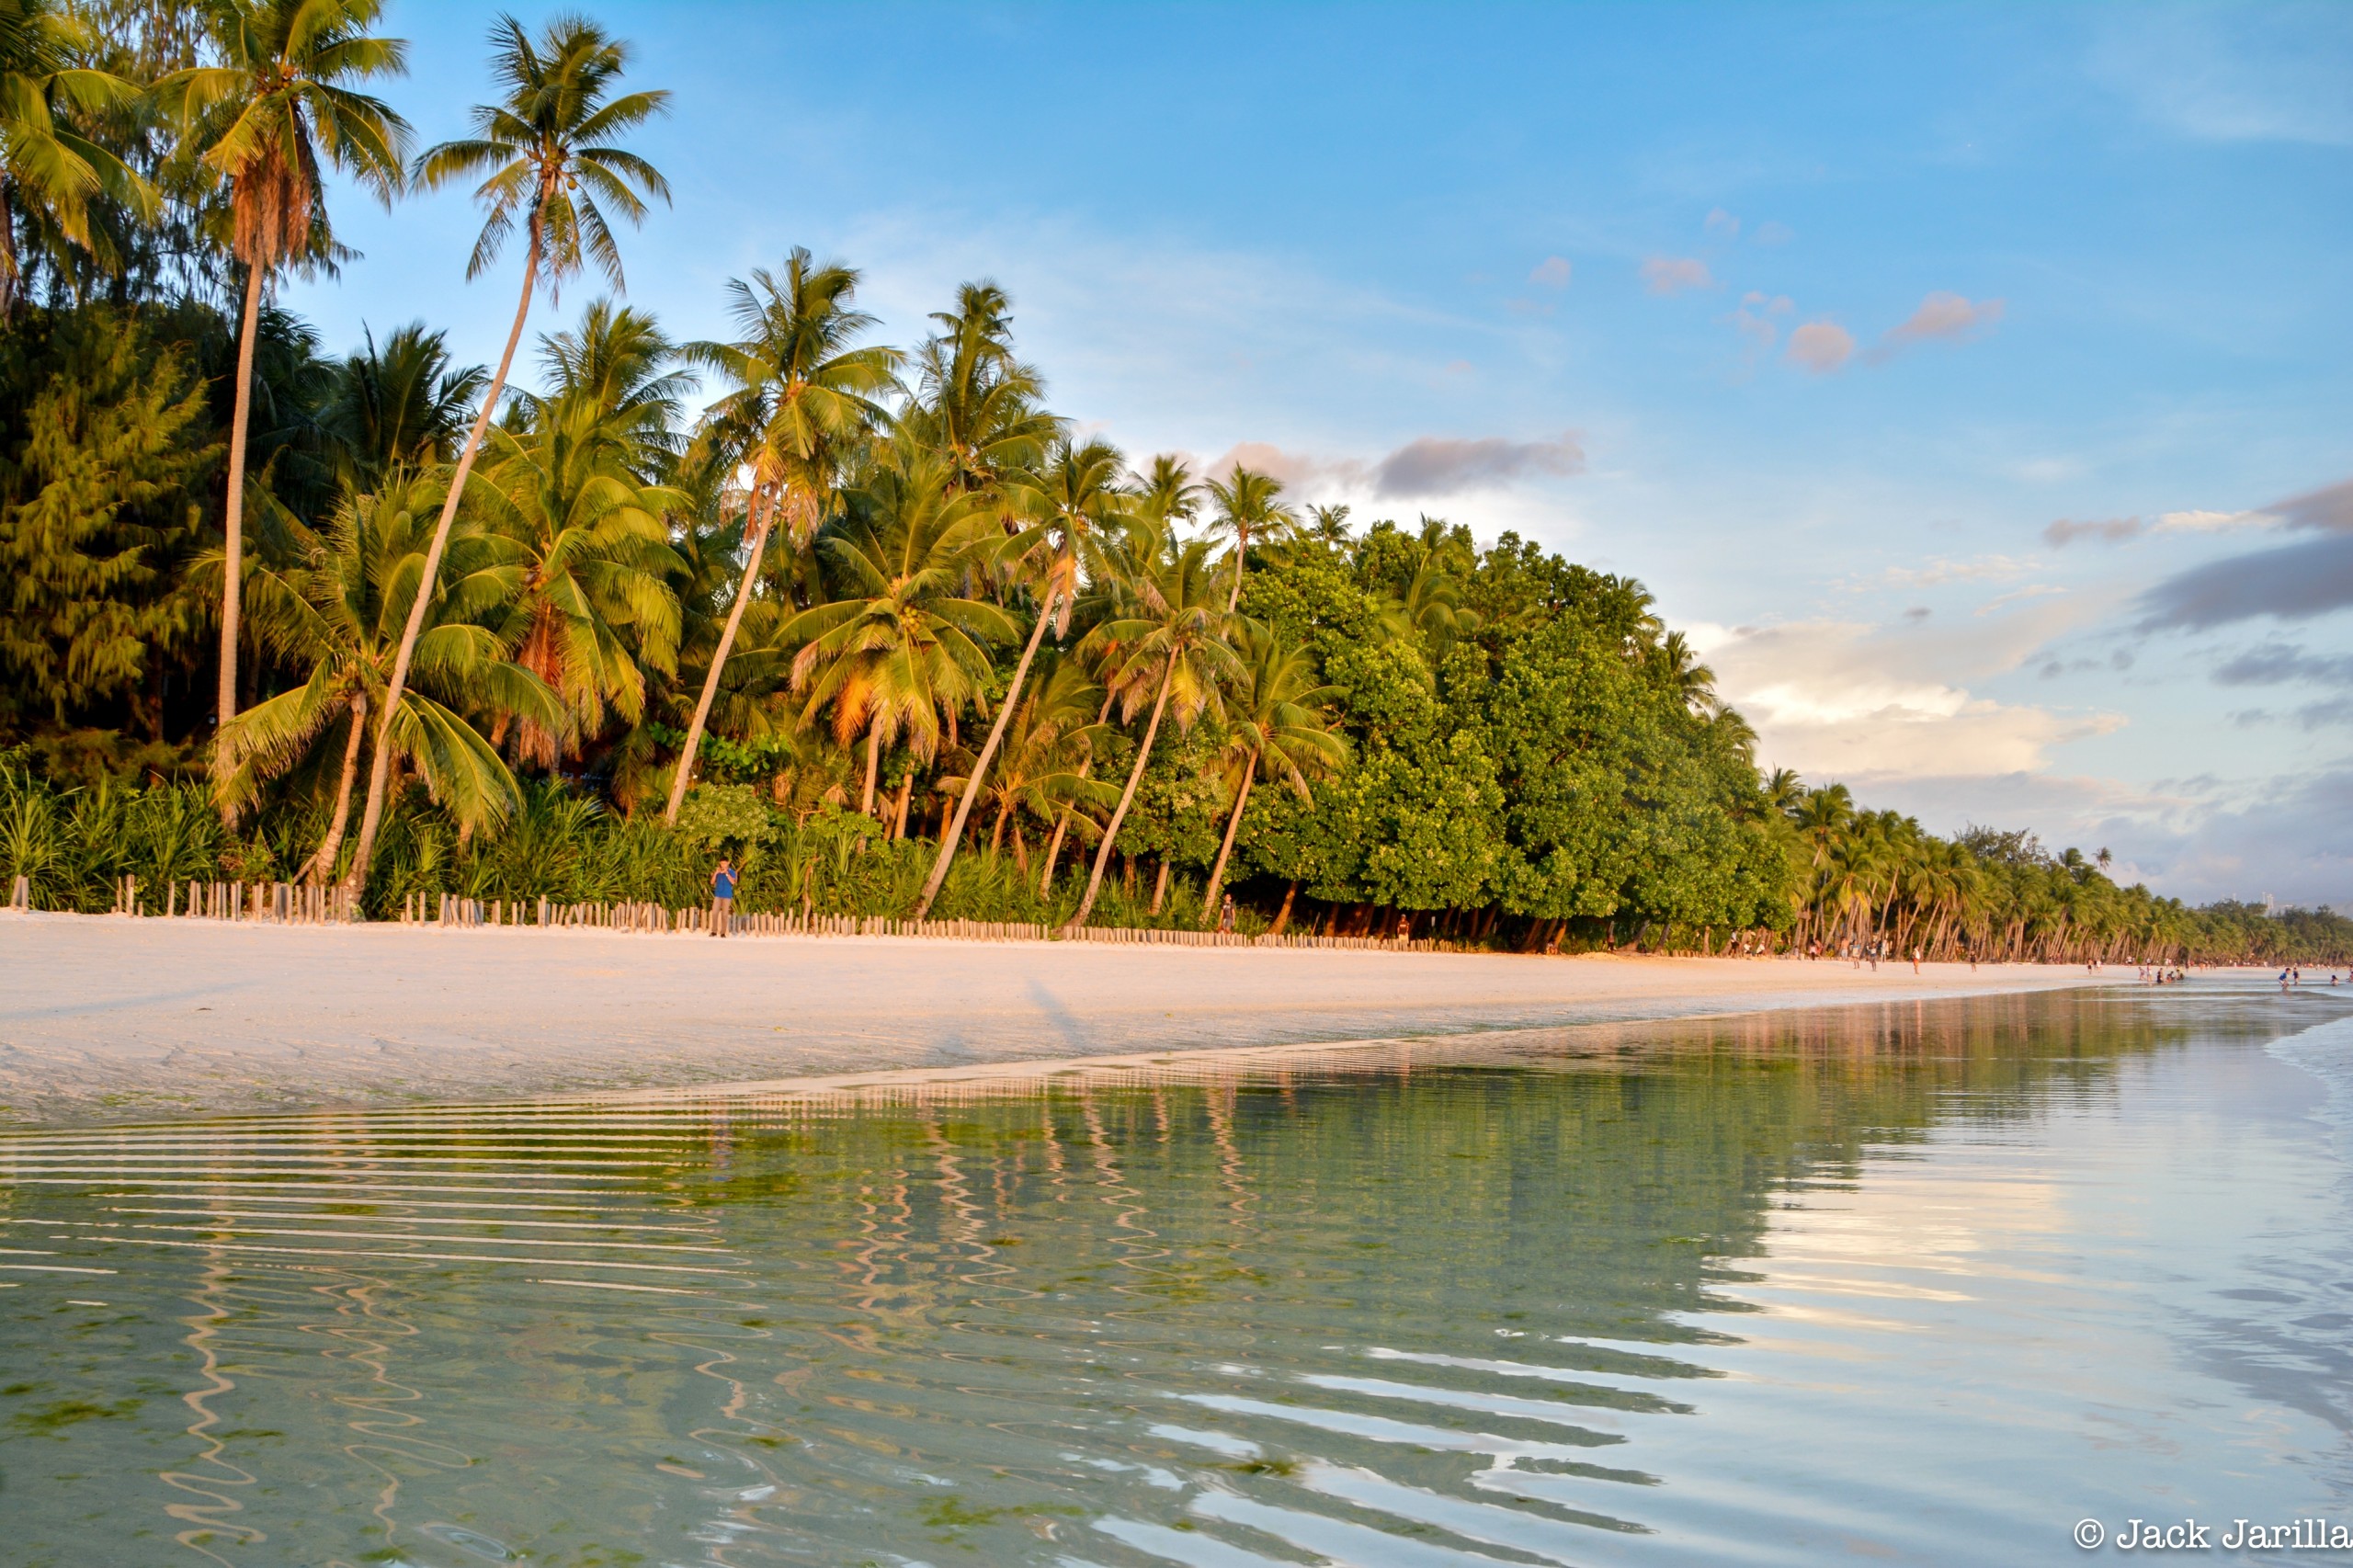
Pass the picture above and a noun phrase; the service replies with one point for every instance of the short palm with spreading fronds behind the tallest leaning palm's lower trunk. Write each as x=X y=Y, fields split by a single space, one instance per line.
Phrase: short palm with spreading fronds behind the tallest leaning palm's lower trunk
x=340 y=613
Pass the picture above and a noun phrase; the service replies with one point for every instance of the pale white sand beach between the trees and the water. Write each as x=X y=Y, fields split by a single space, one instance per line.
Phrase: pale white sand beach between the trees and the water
x=131 y=1021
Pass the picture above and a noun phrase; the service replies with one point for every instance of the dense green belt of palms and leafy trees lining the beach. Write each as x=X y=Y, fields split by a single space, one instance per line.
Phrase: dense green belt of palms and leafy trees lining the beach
x=884 y=620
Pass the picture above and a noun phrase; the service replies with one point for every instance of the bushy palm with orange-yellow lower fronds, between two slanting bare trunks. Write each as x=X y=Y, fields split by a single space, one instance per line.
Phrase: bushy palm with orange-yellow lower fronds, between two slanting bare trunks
x=902 y=649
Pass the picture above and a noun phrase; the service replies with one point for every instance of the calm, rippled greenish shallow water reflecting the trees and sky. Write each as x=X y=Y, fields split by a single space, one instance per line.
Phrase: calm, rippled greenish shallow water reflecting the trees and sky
x=1884 y=1284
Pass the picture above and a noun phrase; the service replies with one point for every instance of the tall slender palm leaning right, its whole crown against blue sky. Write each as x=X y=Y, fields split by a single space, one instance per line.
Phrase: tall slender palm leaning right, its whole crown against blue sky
x=547 y=157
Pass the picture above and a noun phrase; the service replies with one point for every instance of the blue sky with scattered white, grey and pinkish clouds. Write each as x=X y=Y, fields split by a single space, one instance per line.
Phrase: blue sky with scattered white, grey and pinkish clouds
x=1973 y=385
